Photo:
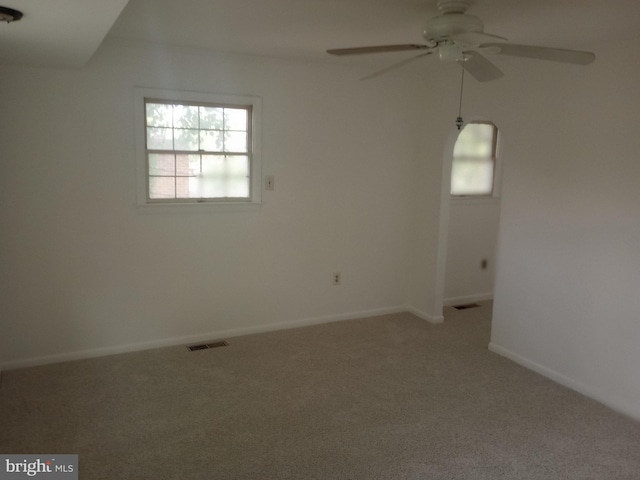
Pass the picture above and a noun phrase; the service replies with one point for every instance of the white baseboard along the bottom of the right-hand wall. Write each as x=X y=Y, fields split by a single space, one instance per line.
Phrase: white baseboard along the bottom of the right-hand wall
x=622 y=406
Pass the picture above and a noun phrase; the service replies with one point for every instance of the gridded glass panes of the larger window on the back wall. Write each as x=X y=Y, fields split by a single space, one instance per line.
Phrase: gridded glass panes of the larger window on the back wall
x=197 y=151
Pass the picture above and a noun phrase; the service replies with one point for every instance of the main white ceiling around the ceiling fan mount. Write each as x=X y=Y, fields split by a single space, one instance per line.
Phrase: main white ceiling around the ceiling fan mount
x=306 y=28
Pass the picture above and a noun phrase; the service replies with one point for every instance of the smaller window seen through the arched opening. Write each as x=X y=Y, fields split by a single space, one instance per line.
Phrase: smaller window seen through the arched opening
x=474 y=160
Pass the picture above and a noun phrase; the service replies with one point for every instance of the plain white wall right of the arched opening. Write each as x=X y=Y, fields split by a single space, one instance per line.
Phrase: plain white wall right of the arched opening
x=567 y=299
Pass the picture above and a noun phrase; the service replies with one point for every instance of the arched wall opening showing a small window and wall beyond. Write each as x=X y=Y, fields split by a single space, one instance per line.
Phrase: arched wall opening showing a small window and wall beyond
x=470 y=212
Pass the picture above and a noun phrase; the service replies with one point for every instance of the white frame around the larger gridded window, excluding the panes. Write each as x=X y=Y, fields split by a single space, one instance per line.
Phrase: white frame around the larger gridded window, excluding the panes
x=141 y=95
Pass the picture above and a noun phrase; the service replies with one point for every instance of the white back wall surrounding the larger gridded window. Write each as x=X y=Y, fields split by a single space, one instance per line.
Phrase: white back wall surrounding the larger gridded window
x=85 y=271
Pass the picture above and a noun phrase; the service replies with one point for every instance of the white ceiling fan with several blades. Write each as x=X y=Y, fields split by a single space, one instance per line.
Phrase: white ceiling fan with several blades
x=458 y=37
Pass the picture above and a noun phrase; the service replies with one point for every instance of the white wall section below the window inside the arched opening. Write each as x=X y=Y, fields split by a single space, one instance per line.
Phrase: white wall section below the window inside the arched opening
x=472 y=237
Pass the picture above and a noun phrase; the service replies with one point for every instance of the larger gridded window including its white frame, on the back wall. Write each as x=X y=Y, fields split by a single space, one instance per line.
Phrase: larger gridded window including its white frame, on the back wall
x=197 y=148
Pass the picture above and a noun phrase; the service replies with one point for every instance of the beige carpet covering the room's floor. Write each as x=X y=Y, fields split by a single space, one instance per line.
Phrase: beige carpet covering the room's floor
x=389 y=397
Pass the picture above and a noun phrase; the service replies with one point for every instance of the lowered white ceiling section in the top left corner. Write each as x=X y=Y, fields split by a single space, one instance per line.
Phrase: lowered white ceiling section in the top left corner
x=56 y=33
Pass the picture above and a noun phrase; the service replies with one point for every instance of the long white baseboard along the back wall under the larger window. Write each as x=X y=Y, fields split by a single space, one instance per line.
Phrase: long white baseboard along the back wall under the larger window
x=190 y=339
